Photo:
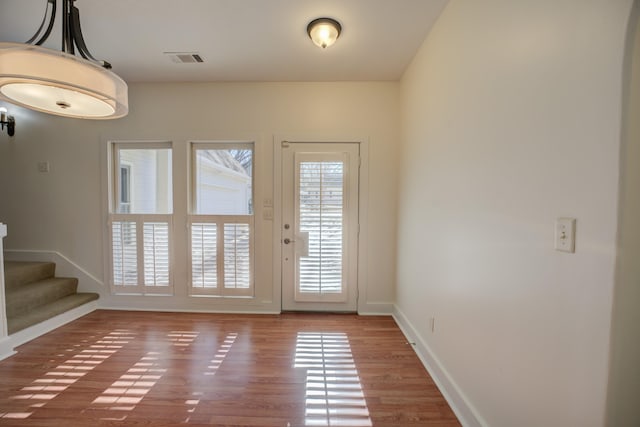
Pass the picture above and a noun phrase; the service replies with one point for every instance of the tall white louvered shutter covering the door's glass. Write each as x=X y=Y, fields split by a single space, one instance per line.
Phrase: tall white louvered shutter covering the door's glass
x=320 y=205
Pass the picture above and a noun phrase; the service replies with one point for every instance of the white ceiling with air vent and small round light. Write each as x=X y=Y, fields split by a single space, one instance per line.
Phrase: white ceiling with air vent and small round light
x=240 y=40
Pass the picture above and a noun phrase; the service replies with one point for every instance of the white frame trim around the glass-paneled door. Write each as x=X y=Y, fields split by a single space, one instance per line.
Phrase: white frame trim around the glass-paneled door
x=363 y=202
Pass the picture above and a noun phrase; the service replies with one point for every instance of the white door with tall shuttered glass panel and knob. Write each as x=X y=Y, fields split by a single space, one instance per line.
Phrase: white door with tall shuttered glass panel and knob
x=319 y=236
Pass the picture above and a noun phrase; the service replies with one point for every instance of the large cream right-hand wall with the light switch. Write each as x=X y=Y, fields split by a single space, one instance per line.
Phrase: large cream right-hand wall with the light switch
x=511 y=118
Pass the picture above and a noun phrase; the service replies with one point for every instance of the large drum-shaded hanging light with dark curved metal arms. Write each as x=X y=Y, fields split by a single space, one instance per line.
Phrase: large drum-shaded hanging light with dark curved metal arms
x=58 y=82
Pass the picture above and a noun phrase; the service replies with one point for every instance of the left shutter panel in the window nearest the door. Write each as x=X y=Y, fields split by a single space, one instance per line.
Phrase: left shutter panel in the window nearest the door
x=204 y=252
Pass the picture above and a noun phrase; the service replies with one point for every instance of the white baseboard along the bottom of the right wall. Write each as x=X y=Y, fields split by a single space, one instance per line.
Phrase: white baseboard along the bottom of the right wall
x=466 y=413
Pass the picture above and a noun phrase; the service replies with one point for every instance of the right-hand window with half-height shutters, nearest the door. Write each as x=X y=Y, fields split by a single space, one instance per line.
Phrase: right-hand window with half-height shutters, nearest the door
x=221 y=223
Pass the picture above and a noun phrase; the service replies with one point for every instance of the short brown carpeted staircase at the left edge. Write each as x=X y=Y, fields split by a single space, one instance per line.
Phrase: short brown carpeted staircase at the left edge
x=33 y=294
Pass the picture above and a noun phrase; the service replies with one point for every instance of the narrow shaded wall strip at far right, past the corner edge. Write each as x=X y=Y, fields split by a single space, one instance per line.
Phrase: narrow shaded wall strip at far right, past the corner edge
x=624 y=382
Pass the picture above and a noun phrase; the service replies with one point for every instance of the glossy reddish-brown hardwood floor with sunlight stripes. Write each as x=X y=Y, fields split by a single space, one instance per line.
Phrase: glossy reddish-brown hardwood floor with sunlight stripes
x=161 y=369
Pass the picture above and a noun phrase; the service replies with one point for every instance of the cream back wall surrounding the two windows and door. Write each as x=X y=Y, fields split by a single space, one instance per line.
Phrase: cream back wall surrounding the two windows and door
x=63 y=210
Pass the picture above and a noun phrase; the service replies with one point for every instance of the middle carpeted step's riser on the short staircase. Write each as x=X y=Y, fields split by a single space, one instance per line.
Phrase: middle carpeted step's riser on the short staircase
x=29 y=297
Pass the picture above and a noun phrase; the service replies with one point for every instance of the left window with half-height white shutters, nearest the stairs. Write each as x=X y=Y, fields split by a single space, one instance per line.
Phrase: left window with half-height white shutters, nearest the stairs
x=140 y=219
